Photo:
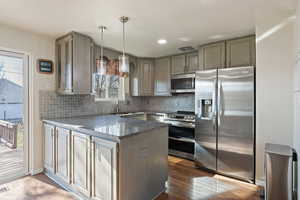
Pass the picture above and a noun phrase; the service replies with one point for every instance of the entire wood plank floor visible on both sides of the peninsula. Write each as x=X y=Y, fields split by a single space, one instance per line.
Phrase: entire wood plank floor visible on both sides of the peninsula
x=185 y=183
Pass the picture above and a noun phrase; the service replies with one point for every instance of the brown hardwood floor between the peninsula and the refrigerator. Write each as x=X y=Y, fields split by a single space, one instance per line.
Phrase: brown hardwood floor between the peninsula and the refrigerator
x=187 y=182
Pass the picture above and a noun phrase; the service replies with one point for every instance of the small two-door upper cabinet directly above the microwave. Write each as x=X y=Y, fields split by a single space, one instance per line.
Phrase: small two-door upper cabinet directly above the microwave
x=185 y=63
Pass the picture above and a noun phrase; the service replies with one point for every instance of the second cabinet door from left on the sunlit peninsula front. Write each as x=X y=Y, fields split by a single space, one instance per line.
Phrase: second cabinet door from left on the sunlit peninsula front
x=63 y=145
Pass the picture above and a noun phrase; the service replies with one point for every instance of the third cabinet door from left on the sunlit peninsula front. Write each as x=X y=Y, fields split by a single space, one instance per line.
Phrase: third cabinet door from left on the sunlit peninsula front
x=81 y=163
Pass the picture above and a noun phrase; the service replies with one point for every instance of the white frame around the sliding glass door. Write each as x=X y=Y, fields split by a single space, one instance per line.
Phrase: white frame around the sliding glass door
x=26 y=110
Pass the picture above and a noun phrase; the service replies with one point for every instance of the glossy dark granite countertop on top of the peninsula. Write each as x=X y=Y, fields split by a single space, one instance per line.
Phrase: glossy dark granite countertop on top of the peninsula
x=111 y=127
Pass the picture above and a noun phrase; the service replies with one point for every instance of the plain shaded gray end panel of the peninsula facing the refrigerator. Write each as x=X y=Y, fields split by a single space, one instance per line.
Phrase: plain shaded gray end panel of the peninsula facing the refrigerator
x=143 y=168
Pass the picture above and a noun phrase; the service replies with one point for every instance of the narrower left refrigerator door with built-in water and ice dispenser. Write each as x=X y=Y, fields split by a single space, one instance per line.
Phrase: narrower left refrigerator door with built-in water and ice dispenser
x=205 y=108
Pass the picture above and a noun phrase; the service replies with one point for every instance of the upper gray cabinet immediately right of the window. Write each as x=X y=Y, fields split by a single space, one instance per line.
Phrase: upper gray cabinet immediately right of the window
x=141 y=75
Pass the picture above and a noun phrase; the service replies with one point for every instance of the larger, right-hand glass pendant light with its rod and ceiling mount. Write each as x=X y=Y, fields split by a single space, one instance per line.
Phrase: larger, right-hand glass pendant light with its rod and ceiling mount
x=123 y=59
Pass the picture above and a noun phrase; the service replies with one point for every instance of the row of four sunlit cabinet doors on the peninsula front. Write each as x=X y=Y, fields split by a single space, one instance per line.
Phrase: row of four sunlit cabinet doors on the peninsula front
x=84 y=164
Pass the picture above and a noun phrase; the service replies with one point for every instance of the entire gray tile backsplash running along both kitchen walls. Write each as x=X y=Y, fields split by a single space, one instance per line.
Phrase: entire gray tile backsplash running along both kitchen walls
x=53 y=105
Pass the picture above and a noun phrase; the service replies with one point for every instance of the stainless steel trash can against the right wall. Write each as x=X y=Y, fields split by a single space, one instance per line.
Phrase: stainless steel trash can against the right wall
x=280 y=172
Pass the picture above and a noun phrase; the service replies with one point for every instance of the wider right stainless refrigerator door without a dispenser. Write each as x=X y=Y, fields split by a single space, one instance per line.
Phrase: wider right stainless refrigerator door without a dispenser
x=236 y=122
